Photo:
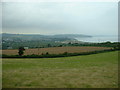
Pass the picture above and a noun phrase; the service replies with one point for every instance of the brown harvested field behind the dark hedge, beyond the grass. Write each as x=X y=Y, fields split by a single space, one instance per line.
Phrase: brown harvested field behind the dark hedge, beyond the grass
x=55 y=50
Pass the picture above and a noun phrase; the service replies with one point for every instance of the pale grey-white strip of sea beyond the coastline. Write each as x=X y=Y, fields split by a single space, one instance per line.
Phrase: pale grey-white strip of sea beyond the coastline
x=100 y=38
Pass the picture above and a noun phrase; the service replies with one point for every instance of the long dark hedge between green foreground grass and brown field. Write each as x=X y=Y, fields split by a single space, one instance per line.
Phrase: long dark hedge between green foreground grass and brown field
x=65 y=54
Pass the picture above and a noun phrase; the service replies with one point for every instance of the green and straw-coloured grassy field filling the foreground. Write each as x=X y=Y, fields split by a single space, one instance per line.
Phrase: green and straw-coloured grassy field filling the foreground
x=91 y=71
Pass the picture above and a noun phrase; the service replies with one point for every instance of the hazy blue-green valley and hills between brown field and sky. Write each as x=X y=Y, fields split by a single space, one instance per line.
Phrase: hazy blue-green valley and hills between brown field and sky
x=36 y=40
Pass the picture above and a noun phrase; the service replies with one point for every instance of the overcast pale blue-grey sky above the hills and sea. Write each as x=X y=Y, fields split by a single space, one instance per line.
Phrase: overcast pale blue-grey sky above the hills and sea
x=89 y=18
